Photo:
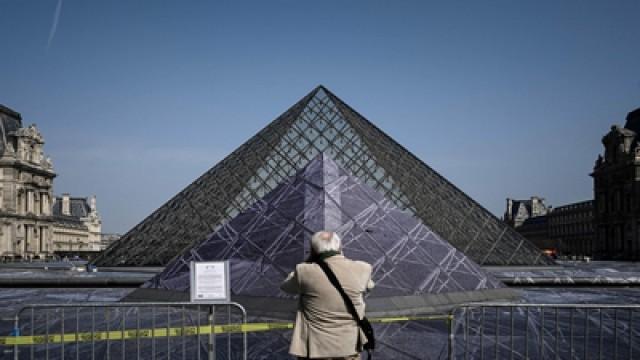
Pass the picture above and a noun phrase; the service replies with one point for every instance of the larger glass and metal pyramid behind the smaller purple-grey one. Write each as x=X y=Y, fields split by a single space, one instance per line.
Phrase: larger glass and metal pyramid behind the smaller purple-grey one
x=320 y=122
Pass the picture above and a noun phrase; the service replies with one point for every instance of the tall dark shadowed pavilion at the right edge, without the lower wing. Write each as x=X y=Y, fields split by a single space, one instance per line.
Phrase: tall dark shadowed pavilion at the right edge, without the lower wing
x=616 y=179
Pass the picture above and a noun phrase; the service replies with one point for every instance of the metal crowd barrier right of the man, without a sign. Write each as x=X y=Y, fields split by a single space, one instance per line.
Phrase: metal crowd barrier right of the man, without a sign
x=544 y=331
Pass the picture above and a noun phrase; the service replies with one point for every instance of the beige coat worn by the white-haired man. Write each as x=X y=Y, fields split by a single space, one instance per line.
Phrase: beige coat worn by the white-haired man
x=324 y=328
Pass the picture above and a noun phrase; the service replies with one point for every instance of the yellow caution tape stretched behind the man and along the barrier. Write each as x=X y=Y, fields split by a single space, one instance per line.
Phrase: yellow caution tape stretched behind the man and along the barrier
x=127 y=334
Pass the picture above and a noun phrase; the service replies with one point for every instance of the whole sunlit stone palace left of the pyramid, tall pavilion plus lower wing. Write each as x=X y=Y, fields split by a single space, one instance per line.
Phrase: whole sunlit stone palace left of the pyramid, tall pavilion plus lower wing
x=33 y=224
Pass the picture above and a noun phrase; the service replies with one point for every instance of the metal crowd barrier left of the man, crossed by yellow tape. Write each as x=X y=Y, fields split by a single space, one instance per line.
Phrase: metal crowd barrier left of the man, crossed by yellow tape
x=181 y=330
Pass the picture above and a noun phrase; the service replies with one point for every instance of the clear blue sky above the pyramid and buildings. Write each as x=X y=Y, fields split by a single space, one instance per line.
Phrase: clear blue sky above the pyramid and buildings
x=138 y=98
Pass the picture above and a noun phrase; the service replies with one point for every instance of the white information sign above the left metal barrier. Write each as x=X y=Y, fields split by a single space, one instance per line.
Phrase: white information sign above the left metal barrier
x=210 y=281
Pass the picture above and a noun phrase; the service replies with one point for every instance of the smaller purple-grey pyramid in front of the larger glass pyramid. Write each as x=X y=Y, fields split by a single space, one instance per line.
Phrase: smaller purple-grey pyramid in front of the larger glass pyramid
x=265 y=242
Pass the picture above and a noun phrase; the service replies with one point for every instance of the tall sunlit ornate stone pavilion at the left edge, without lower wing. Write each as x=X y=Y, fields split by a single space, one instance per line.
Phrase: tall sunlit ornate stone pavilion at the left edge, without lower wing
x=26 y=182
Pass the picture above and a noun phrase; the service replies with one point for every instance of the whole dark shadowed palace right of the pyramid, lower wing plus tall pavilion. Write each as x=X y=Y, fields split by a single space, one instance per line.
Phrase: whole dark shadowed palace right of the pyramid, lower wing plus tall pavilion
x=607 y=227
